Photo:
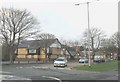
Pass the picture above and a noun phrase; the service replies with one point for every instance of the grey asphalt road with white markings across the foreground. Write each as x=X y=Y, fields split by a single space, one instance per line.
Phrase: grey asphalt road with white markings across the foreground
x=48 y=72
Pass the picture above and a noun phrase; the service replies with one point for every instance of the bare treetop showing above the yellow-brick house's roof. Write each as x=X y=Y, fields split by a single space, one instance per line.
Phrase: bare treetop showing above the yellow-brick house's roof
x=43 y=36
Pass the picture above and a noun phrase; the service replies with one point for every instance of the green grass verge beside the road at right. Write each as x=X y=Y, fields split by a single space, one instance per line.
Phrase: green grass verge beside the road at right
x=99 y=67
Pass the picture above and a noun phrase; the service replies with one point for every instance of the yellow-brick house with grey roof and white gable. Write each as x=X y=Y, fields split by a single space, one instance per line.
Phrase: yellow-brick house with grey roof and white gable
x=39 y=50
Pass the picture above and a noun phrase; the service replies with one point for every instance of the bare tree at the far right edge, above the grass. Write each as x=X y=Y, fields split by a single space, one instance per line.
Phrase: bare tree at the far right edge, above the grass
x=111 y=45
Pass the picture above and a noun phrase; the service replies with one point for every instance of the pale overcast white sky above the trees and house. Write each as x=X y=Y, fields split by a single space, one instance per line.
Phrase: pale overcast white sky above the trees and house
x=65 y=20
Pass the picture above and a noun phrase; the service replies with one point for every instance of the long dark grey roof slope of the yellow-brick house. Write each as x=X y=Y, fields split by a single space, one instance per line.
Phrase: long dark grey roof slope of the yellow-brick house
x=30 y=44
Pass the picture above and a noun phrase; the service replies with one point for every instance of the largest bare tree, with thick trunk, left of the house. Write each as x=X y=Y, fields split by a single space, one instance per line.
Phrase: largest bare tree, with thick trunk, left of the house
x=16 y=25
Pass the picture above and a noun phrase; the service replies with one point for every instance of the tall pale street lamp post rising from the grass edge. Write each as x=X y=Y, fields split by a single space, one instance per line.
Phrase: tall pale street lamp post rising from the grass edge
x=88 y=28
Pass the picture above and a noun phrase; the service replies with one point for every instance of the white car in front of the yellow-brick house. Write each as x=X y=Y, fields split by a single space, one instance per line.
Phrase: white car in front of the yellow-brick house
x=62 y=62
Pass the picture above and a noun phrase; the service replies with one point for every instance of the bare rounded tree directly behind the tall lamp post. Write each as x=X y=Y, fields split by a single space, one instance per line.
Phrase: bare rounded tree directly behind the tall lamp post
x=96 y=36
